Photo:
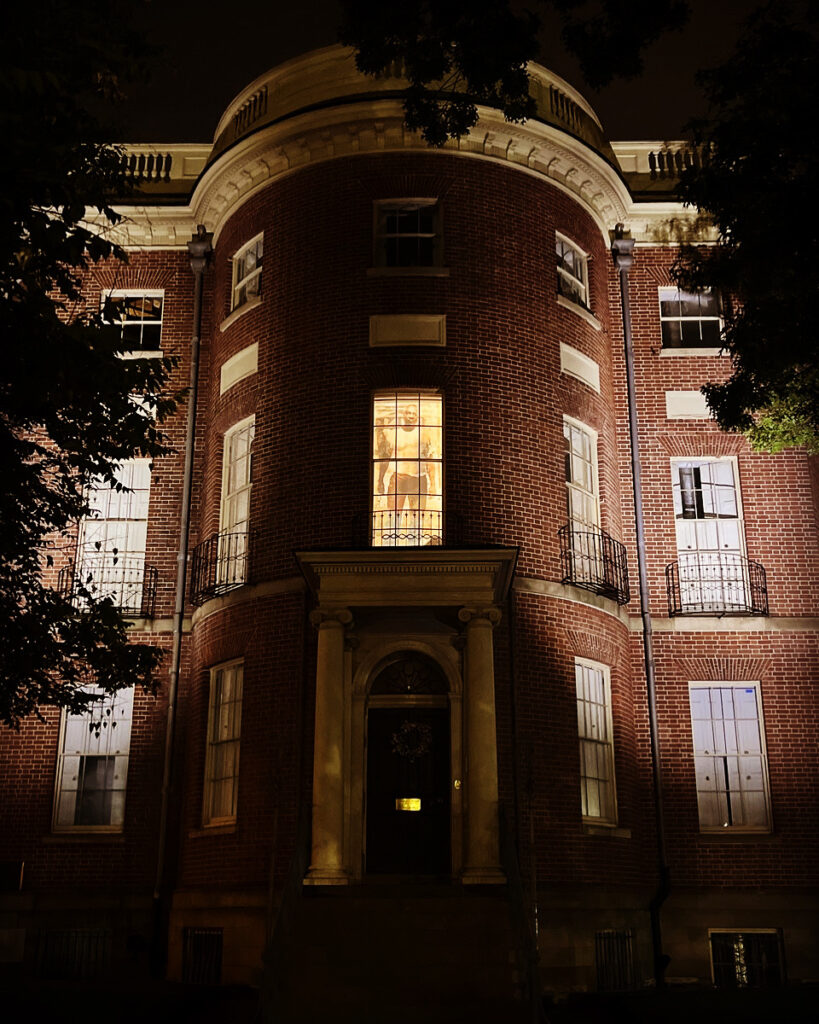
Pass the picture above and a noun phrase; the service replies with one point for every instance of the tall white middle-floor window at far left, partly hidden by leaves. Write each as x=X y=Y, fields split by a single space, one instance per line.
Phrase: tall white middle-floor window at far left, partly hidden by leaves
x=111 y=552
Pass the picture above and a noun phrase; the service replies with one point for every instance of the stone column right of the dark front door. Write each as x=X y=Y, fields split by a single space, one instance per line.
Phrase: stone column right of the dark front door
x=483 y=861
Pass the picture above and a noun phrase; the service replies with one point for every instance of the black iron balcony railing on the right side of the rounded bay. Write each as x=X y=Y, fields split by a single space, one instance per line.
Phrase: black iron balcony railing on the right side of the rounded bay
x=592 y=560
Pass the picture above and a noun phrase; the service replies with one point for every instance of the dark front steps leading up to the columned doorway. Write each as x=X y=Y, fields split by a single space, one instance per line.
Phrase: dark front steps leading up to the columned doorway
x=377 y=955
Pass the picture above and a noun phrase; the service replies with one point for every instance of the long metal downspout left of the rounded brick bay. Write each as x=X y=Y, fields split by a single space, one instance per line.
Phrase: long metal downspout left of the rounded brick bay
x=200 y=250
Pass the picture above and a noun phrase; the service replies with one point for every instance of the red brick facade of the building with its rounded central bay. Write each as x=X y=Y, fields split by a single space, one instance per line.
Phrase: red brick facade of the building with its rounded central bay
x=504 y=402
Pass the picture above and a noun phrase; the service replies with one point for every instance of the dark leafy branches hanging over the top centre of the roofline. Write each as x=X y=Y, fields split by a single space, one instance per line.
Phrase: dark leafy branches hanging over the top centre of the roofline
x=461 y=54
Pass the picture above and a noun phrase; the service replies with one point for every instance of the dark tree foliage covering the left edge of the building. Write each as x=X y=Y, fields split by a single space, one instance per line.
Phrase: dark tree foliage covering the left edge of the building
x=71 y=409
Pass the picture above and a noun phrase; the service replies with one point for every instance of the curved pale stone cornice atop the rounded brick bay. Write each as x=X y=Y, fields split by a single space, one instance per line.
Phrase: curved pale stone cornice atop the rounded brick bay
x=377 y=126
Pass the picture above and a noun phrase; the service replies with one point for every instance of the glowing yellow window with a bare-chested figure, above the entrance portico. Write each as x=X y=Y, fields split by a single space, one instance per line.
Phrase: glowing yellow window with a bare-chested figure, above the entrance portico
x=408 y=466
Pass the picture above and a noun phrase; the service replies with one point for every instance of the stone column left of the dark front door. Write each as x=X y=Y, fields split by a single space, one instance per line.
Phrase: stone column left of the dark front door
x=327 y=862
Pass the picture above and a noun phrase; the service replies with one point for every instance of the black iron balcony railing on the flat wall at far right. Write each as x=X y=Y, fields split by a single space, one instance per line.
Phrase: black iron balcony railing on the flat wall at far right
x=716 y=583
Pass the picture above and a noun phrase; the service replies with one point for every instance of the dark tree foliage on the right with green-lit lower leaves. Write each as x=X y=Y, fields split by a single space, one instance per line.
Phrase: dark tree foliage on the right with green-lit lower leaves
x=759 y=187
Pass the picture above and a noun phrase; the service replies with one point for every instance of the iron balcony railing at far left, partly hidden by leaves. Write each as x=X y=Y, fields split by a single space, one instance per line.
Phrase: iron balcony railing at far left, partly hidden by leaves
x=125 y=580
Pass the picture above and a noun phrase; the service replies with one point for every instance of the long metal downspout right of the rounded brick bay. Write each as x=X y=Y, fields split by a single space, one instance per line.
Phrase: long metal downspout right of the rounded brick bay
x=623 y=253
